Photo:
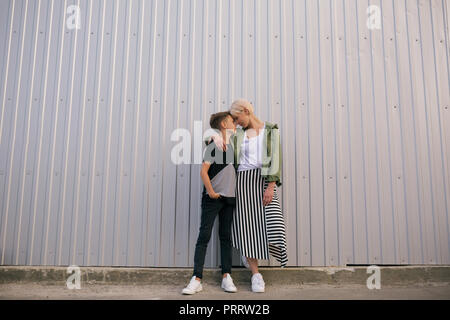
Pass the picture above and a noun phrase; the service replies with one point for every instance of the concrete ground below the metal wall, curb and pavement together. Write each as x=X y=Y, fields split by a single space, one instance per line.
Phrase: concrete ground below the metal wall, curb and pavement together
x=407 y=282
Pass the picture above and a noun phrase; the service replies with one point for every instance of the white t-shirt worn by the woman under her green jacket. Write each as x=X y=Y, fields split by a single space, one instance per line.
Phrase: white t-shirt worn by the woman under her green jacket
x=251 y=151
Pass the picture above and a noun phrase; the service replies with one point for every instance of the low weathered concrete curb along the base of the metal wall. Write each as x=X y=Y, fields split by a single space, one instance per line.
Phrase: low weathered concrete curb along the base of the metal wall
x=395 y=276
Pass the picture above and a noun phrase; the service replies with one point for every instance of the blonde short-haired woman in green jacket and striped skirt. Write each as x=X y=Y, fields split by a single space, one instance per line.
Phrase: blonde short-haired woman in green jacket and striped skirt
x=258 y=225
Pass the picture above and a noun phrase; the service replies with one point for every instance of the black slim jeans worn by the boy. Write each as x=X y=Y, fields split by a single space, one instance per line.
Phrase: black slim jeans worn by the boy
x=210 y=209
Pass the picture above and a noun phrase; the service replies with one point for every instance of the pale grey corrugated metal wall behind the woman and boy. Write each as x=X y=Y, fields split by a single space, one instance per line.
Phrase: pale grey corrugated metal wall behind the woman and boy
x=87 y=114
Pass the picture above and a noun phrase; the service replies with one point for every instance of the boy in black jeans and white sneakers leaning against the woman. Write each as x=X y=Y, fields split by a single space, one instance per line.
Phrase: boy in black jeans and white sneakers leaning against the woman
x=218 y=198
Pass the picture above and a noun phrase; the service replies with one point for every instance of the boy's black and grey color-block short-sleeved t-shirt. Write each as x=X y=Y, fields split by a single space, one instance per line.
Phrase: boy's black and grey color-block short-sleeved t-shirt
x=221 y=172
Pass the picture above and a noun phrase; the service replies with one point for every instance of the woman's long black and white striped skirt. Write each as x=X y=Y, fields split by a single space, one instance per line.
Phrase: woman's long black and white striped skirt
x=258 y=230
